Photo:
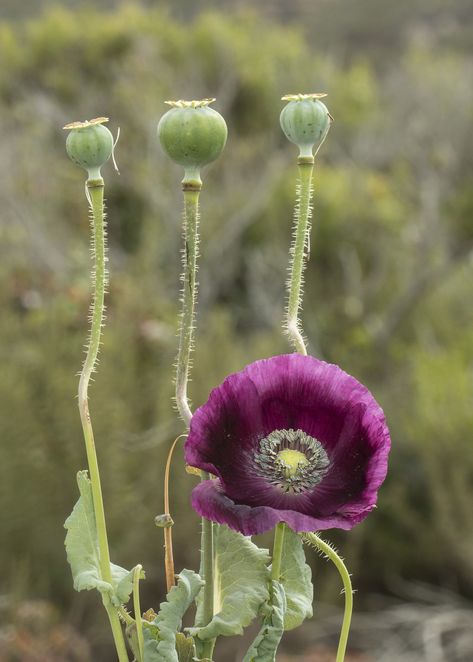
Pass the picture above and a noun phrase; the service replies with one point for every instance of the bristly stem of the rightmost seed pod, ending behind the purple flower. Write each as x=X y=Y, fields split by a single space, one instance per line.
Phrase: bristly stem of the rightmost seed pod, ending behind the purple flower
x=299 y=253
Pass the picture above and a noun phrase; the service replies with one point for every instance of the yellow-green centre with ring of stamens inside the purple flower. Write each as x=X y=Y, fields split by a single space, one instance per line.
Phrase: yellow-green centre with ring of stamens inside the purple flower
x=292 y=460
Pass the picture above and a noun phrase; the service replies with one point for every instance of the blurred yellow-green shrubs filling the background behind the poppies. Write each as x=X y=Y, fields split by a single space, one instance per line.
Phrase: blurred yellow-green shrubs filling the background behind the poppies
x=388 y=288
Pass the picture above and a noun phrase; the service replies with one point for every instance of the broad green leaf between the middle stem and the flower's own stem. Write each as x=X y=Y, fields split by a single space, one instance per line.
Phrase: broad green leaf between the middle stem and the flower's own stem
x=240 y=585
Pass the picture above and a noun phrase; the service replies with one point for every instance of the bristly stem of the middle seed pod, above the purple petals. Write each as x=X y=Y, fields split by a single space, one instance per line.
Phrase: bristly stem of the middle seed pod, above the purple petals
x=189 y=293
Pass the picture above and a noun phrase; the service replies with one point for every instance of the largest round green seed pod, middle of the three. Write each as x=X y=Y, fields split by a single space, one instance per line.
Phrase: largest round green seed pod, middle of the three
x=192 y=134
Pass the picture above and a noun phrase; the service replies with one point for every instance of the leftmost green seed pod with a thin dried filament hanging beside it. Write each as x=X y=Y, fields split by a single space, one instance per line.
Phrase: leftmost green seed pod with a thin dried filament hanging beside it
x=89 y=145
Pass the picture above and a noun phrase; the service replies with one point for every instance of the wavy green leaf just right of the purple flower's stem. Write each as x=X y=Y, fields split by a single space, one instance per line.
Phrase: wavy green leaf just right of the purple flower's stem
x=296 y=577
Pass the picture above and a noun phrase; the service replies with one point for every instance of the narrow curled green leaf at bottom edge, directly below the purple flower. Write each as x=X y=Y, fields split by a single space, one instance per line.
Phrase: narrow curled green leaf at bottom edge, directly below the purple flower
x=265 y=646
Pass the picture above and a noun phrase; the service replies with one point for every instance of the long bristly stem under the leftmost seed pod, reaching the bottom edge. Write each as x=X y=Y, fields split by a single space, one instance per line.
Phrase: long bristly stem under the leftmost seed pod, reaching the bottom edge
x=95 y=191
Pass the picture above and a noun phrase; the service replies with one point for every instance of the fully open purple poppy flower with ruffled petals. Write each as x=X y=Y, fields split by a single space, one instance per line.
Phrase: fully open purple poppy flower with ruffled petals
x=291 y=439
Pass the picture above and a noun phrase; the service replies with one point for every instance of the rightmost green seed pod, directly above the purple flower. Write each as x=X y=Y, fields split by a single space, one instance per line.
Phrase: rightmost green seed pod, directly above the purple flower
x=305 y=121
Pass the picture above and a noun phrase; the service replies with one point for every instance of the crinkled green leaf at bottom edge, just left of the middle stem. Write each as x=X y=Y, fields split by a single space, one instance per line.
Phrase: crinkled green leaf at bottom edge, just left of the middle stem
x=160 y=644
